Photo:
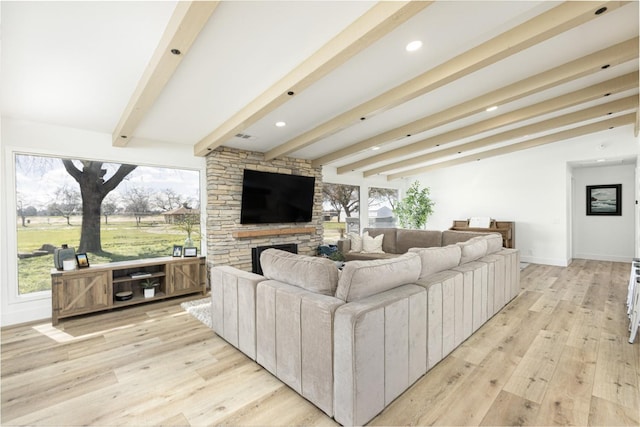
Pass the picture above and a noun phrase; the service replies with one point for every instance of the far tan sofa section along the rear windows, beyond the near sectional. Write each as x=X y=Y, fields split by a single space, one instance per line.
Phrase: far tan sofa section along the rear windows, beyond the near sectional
x=397 y=241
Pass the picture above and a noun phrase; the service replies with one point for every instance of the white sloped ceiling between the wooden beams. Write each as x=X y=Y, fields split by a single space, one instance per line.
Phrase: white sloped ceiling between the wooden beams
x=78 y=63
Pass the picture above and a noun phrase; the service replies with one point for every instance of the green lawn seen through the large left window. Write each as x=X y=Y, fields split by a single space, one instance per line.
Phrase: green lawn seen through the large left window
x=121 y=240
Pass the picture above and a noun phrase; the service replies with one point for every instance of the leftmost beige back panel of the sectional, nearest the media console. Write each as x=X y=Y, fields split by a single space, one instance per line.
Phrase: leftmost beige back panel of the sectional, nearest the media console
x=233 y=303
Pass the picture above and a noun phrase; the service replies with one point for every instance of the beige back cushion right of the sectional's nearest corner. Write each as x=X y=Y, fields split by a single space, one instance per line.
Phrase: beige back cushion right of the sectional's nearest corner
x=360 y=279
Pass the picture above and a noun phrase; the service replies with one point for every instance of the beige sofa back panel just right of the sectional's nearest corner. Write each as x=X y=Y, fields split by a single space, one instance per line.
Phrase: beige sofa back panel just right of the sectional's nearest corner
x=380 y=350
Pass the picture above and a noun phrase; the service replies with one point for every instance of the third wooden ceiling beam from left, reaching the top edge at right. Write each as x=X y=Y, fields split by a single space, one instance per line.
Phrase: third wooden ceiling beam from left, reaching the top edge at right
x=562 y=18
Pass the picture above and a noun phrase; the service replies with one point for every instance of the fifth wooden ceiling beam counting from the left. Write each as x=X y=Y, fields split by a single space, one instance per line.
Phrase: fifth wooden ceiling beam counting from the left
x=600 y=90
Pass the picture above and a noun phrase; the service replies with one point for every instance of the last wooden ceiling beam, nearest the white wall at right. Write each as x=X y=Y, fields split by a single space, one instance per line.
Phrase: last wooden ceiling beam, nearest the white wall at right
x=535 y=142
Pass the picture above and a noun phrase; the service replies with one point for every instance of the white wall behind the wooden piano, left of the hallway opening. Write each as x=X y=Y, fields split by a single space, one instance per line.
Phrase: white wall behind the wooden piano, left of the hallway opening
x=531 y=187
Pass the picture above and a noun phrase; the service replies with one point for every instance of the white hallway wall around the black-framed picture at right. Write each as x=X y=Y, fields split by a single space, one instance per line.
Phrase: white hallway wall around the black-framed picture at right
x=608 y=238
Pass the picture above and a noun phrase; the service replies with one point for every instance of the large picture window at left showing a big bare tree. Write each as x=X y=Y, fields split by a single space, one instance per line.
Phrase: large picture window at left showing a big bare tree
x=111 y=211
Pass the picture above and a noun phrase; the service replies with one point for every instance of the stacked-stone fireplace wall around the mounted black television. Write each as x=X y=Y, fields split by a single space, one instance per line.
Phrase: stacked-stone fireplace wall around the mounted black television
x=228 y=241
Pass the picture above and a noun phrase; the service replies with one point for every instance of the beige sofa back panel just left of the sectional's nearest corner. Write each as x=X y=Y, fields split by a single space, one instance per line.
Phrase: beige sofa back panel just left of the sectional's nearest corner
x=295 y=339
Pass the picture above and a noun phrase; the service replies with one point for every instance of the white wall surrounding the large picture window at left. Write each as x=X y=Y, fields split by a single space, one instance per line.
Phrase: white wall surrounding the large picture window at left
x=36 y=138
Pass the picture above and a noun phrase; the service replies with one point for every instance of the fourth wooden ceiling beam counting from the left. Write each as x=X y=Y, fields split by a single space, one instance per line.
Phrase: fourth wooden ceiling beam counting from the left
x=611 y=56
